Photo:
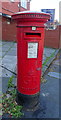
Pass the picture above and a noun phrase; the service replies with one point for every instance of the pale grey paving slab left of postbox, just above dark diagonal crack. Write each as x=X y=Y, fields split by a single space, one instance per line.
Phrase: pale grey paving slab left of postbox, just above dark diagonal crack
x=9 y=62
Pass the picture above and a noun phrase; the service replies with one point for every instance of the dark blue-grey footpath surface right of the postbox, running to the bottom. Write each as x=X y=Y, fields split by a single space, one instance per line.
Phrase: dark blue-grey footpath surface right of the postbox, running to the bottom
x=49 y=94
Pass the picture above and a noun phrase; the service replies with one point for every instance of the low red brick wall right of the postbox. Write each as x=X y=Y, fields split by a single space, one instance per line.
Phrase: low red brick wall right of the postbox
x=52 y=38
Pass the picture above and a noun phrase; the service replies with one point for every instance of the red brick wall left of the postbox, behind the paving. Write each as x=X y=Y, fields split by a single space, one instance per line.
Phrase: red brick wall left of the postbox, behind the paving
x=8 y=30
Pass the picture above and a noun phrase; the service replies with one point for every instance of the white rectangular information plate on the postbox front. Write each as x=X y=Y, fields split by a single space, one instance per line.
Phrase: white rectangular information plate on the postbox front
x=32 y=50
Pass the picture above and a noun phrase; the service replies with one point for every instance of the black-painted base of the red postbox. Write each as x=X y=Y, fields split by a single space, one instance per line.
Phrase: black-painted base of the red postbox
x=28 y=101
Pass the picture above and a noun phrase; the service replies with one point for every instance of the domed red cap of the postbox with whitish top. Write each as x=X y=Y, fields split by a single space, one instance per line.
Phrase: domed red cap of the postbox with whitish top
x=31 y=15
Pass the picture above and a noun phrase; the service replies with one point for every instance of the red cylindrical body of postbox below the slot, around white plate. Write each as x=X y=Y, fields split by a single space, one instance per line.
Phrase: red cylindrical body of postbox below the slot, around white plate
x=30 y=63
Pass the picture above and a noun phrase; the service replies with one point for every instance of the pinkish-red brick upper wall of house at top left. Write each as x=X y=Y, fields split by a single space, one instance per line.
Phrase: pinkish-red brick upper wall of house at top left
x=10 y=7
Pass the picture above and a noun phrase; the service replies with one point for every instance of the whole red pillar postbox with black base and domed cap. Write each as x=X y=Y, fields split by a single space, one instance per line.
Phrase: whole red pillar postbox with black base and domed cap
x=30 y=41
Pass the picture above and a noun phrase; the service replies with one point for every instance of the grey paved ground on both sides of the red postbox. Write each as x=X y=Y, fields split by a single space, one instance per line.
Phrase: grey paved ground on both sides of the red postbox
x=49 y=97
